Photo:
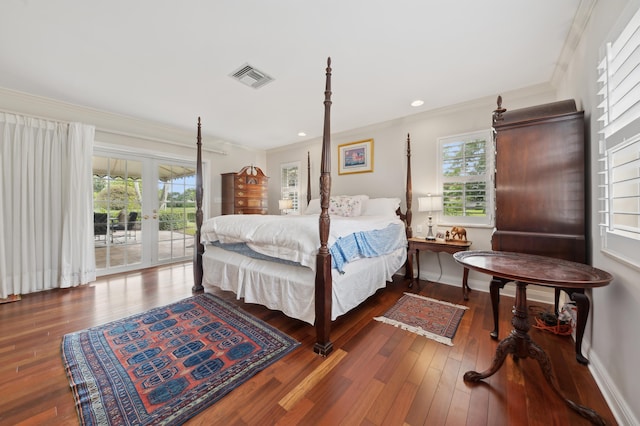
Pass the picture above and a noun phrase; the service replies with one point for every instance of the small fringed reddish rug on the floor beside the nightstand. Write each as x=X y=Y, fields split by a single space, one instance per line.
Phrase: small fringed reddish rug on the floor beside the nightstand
x=434 y=319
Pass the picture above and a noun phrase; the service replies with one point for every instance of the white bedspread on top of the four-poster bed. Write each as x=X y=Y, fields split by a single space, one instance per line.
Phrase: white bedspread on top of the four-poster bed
x=294 y=238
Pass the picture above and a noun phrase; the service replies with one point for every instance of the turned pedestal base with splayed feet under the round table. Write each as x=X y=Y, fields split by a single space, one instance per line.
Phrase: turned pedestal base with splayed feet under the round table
x=520 y=345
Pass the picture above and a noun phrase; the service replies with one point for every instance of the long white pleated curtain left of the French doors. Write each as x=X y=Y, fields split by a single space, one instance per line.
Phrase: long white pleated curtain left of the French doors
x=46 y=220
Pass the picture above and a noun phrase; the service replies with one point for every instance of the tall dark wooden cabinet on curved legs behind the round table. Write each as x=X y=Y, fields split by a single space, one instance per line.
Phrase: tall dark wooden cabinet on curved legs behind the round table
x=540 y=185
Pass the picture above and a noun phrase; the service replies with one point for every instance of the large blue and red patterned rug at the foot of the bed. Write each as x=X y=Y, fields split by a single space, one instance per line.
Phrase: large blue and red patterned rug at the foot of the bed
x=165 y=365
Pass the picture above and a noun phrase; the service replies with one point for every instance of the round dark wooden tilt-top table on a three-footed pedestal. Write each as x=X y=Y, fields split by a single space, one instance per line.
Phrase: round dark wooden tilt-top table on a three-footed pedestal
x=526 y=269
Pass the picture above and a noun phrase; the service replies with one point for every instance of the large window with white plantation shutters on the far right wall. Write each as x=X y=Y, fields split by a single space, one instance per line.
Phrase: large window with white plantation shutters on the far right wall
x=619 y=138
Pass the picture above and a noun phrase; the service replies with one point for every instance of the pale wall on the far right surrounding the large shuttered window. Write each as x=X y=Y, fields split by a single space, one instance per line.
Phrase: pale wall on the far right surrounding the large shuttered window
x=612 y=332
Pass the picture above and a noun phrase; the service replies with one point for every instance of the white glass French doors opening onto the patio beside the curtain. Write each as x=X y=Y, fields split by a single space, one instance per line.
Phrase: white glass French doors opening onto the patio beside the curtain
x=144 y=210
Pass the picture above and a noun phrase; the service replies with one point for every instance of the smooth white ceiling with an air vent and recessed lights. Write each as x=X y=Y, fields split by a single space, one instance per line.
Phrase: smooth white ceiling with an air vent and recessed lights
x=169 y=60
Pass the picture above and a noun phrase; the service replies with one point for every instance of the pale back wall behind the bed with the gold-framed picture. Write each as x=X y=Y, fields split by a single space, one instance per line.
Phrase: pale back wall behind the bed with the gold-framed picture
x=389 y=176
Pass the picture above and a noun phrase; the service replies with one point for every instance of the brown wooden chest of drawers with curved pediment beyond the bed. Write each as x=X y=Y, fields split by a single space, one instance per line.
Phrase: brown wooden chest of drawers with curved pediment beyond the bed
x=244 y=192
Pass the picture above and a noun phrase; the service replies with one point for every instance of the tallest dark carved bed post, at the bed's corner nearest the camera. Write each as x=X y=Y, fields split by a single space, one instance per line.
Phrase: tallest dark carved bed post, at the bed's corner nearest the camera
x=323 y=291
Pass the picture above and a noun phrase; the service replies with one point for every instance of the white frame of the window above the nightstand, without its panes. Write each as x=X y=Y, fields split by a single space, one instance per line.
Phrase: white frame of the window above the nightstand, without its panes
x=488 y=178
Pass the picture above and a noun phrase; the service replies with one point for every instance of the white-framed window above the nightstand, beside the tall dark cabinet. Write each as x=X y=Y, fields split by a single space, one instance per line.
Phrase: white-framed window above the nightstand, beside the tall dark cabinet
x=465 y=173
